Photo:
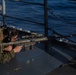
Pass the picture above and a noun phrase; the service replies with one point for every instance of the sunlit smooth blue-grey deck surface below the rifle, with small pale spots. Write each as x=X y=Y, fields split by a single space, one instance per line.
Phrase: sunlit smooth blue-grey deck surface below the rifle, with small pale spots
x=33 y=62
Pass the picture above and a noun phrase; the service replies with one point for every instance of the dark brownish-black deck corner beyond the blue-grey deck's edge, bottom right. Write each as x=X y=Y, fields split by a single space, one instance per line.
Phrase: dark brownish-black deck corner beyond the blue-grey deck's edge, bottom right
x=65 y=70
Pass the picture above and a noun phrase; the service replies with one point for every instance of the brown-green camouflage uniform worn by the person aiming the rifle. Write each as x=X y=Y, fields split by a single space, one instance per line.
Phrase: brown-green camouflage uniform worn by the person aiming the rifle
x=5 y=56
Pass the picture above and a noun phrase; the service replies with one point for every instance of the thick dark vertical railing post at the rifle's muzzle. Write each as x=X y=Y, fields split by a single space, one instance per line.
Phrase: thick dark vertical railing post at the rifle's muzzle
x=46 y=23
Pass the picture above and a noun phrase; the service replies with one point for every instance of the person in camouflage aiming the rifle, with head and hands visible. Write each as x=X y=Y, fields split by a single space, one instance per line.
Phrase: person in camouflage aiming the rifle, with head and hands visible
x=9 y=51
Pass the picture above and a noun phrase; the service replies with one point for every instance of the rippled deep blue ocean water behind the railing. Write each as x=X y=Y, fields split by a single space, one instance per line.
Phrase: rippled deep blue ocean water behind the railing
x=65 y=9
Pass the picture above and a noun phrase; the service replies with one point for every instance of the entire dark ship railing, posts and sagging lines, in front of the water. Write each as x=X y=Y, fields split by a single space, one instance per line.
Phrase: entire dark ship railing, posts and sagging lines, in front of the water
x=45 y=24
